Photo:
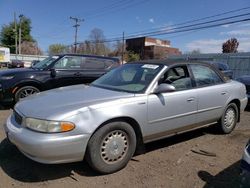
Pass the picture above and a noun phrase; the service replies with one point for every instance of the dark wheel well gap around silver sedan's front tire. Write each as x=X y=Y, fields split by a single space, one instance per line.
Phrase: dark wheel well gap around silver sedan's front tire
x=135 y=125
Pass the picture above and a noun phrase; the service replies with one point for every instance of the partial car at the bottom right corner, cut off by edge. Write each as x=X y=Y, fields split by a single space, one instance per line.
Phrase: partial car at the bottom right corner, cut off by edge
x=245 y=166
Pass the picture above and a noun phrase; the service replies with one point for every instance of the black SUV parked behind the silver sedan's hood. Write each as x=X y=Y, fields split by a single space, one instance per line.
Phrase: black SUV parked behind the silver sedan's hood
x=52 y=72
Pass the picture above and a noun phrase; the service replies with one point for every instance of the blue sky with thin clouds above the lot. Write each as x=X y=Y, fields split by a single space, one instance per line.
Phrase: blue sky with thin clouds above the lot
x=51 y=23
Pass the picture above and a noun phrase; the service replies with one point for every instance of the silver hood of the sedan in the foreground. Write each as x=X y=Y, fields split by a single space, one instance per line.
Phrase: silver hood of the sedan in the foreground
x=66 y=101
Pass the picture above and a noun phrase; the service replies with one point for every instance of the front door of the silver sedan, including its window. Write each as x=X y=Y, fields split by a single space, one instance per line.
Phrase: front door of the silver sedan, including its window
x=172 y=112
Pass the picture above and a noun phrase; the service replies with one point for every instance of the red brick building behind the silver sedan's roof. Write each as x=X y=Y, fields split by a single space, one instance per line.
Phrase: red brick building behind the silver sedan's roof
x=151 y=48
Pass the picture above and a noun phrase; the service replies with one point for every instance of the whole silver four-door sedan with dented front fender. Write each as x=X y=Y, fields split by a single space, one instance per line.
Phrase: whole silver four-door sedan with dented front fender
x=108 y=121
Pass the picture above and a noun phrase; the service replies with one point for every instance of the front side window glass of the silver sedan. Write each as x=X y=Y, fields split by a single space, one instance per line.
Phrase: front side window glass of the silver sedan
x=178 y=77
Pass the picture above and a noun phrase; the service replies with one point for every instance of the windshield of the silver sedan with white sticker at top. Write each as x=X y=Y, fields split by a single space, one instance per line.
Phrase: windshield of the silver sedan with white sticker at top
x=132 y=78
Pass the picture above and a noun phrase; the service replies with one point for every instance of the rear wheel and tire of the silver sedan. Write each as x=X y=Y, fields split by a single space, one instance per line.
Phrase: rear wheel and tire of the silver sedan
x=229 y=119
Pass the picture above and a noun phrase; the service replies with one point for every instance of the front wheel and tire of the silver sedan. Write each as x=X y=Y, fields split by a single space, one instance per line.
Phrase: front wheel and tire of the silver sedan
x=111 y=147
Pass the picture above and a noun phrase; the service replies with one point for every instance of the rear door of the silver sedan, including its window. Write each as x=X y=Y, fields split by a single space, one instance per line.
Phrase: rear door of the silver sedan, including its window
x=211 y=91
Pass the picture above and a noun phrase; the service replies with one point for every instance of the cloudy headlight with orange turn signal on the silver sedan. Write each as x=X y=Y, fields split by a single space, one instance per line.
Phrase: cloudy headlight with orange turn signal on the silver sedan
x=48 y=126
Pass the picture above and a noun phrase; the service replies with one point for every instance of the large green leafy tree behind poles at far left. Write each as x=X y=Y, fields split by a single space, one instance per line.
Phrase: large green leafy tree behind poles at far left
x=8 y=33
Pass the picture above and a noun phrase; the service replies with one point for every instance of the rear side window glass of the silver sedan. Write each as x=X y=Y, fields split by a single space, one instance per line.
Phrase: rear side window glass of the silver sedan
x=205 y=76
